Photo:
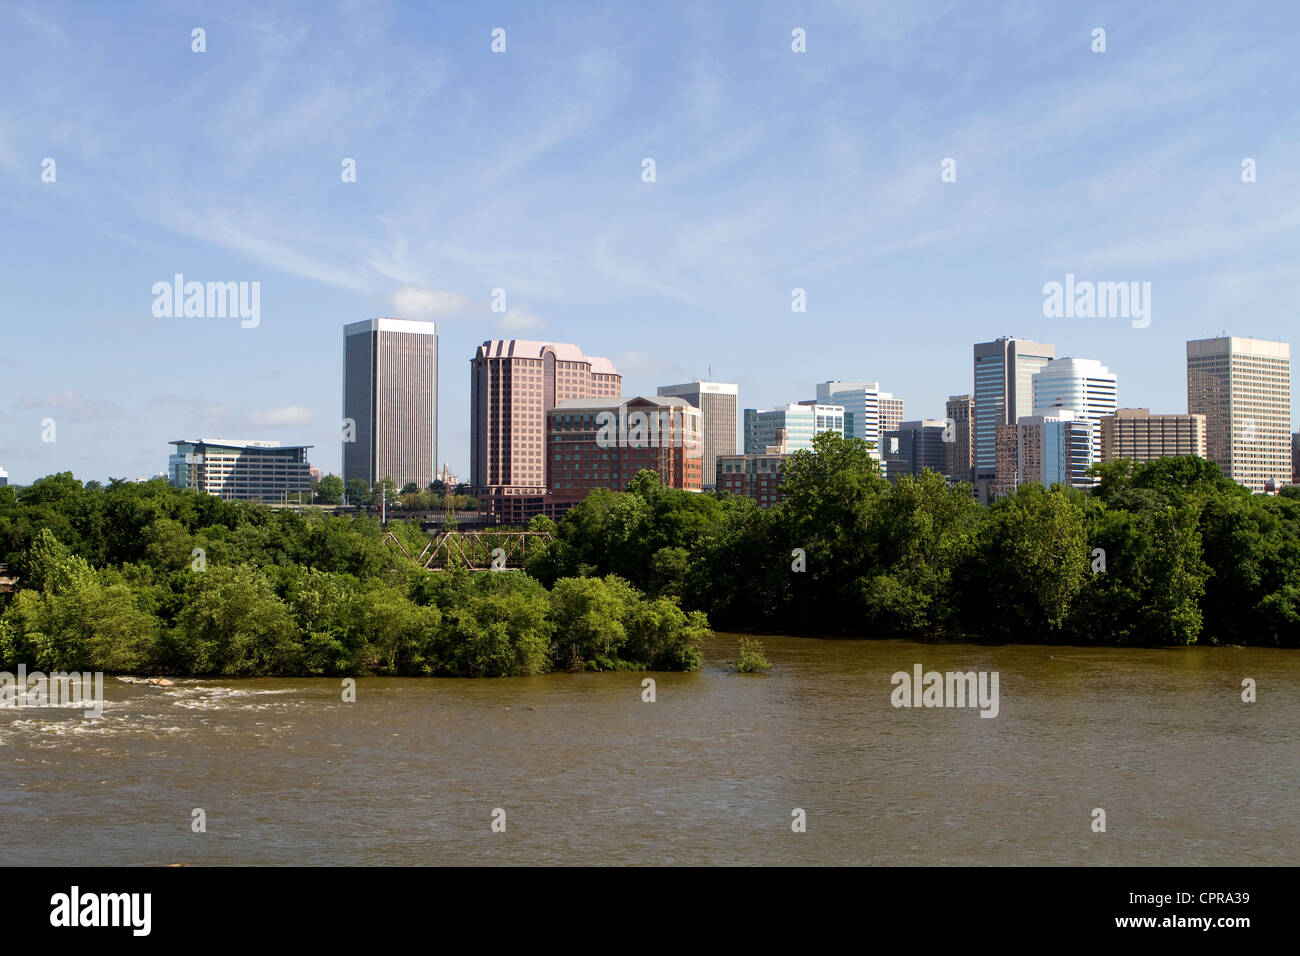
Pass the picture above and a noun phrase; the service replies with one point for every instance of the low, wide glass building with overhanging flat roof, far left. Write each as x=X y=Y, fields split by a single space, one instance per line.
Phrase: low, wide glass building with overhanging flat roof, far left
x=237 y=470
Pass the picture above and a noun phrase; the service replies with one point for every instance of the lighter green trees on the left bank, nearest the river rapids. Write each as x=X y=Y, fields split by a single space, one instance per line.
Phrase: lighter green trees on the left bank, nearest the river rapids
x=148 y=578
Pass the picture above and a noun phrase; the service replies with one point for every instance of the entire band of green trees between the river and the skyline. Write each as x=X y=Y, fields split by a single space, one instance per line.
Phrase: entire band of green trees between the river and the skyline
x=1163 y=553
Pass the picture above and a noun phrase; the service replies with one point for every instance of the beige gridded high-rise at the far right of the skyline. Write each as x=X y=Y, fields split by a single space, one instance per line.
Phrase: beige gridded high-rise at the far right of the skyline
x=1243 y=390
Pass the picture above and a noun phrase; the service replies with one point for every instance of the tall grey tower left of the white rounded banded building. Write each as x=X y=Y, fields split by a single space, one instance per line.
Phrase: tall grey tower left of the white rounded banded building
x=1004 y=371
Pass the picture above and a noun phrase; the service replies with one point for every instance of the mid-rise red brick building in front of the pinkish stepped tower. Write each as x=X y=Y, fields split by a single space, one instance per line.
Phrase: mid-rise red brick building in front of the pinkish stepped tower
x=597 y=443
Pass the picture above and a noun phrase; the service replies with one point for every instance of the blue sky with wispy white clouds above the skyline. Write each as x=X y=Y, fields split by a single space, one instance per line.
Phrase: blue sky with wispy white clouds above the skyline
x=523 y=171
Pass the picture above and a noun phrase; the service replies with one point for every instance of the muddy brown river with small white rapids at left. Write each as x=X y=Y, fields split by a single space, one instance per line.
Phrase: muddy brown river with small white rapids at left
x=709 y=773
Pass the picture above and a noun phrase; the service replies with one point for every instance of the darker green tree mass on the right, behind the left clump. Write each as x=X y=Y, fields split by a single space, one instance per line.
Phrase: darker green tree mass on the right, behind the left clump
x=1168 y=552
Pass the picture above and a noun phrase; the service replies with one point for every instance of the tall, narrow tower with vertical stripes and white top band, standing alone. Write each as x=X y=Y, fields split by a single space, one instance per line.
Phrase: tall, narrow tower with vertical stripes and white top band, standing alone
x=391 y=401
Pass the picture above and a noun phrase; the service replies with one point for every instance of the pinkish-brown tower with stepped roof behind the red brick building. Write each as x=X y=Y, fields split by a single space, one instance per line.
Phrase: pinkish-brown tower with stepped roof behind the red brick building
x=513 y=384
